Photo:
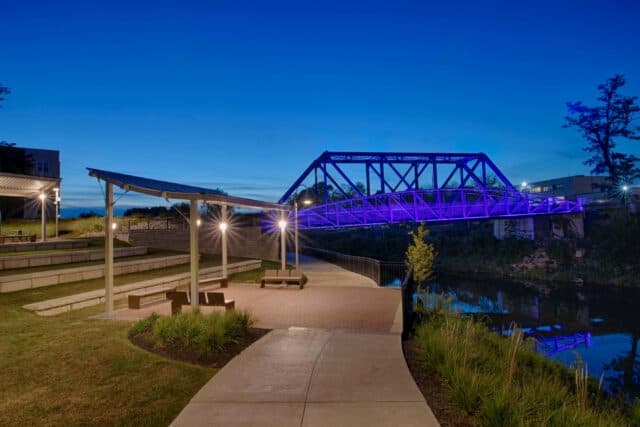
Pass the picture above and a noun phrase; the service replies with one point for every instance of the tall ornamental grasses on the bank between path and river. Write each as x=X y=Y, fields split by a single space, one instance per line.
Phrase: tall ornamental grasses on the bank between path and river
x=502 y=381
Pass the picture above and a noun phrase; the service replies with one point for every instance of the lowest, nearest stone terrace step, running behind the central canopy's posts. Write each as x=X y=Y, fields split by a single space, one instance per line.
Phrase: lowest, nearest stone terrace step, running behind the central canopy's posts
x=86 y=299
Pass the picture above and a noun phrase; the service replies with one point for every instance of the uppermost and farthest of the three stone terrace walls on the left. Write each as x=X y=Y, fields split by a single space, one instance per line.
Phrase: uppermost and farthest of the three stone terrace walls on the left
x=38 y=260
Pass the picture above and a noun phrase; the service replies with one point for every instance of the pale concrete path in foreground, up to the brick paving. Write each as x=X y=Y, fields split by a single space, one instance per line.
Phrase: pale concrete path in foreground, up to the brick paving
x=312 y=377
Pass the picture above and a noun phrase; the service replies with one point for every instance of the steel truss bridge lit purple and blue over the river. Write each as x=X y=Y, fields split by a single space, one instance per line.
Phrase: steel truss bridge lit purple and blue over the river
x=355 y=189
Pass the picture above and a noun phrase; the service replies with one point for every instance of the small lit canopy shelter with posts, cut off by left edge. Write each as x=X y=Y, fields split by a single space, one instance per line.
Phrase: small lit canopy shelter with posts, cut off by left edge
x=31 y=187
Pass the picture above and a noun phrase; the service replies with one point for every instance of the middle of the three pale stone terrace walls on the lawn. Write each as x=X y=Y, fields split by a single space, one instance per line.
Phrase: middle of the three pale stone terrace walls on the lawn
x=18 y=282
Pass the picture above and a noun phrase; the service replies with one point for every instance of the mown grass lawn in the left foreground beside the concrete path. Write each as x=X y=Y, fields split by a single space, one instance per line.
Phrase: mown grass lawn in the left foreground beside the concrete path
x=70 y=370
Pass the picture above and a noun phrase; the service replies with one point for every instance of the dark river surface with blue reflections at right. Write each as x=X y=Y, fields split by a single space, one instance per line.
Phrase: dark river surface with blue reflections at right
x=610 y=315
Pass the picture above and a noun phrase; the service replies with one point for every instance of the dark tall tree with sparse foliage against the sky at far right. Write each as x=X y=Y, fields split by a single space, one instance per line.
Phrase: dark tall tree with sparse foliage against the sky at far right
x=603 y=125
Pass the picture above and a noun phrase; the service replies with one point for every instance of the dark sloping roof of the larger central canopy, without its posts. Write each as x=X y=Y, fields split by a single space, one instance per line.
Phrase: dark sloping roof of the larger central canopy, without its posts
x=172 y=190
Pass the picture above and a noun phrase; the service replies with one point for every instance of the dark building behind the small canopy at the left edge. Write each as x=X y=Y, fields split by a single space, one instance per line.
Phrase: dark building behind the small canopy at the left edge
x=39 y=163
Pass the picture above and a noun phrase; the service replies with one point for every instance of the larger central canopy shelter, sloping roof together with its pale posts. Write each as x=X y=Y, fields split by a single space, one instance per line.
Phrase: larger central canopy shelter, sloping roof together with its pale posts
x=171 y=190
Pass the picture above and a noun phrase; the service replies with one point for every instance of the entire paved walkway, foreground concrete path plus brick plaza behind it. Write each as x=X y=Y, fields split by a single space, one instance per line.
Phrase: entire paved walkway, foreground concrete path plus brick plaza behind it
x=345 y=367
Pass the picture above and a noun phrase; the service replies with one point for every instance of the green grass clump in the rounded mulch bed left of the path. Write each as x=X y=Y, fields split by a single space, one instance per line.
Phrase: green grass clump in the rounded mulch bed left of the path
x=204 y=333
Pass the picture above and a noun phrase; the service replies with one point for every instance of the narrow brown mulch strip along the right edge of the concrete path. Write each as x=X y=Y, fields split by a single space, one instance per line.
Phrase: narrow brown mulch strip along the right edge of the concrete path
x=434 y=389
